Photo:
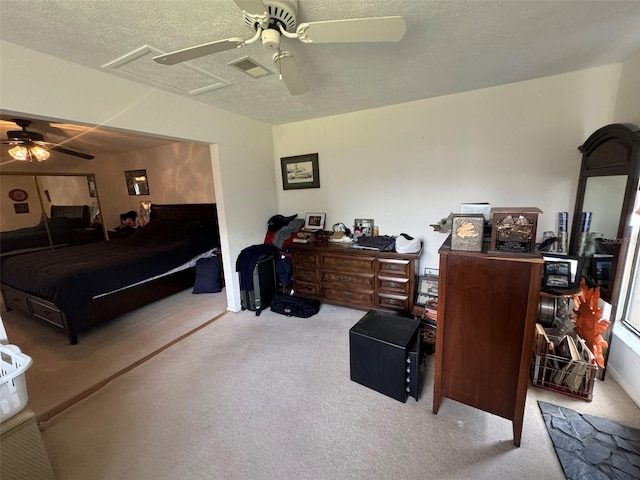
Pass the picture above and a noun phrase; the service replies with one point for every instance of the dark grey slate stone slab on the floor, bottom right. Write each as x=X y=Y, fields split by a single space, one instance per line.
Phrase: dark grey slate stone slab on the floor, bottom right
x=590 y=447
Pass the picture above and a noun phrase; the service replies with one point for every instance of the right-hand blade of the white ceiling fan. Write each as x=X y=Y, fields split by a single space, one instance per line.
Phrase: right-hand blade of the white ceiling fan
x=377 y=29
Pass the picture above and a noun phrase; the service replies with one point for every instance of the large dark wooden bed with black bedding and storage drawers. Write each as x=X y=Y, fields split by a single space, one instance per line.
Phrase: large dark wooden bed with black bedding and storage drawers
x=77 y=287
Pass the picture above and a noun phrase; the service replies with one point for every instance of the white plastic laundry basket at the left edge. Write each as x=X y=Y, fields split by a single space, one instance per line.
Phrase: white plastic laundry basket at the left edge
x=13 y=386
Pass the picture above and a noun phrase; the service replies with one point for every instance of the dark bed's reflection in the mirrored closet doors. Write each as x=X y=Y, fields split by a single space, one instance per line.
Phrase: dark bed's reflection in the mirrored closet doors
x=63 y=226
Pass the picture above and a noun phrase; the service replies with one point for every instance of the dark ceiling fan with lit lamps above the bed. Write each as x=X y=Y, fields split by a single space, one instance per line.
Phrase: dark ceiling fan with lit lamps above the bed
x=30 y=145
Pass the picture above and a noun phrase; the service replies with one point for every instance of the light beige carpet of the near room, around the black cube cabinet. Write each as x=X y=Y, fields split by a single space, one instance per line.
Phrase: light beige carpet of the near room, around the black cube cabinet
x=270 y=397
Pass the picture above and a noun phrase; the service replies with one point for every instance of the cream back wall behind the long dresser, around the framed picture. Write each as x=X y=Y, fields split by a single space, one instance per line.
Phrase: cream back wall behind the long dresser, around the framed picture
x=409 y=165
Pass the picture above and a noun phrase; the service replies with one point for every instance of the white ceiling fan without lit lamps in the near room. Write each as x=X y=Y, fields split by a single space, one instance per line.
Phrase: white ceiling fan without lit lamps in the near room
x=271 y=19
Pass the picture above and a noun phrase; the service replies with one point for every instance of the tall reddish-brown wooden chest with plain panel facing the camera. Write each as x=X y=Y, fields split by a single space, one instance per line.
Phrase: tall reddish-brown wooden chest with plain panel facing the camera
x=487 y=309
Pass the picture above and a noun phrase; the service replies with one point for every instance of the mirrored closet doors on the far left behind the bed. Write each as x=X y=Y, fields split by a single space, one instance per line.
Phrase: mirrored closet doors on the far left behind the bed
x=41 y=210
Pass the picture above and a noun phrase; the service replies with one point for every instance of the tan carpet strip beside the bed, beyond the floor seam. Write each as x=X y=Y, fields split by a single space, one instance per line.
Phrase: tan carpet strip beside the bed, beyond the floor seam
x=63 y=373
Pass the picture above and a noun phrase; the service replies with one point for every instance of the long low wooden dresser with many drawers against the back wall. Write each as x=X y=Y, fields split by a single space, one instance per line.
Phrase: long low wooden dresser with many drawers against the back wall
x=362 y=279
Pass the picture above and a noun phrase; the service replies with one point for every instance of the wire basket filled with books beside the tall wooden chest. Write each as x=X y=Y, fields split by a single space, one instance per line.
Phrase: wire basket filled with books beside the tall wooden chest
x=564 y=364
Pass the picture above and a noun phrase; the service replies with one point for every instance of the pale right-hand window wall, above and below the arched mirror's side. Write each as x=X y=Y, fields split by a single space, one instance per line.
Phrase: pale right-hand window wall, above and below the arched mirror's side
x=624 y=354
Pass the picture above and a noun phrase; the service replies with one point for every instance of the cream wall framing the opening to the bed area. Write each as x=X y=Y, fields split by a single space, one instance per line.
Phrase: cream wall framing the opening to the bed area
x=243 y=148
